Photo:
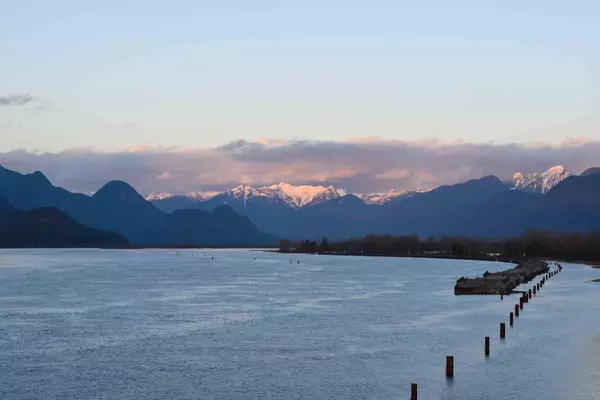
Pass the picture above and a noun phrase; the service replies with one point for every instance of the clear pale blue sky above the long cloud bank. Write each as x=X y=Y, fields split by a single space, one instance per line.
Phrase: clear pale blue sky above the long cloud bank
x=204 y=73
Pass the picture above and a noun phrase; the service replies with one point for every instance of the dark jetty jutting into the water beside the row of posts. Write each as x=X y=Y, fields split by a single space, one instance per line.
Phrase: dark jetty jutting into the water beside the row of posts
x=503 y=282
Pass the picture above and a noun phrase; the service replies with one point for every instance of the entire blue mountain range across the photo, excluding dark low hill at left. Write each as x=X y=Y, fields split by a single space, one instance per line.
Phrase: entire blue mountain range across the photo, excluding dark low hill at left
x=245 y=216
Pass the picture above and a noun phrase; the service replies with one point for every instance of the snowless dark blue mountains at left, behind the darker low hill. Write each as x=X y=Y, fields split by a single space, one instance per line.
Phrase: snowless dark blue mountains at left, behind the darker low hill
x=118 y=208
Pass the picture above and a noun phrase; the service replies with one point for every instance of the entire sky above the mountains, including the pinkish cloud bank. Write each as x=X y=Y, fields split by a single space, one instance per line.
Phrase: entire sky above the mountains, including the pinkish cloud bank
x=150 y=90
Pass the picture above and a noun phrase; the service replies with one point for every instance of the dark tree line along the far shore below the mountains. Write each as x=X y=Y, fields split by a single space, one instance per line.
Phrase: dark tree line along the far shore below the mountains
x=534 y=244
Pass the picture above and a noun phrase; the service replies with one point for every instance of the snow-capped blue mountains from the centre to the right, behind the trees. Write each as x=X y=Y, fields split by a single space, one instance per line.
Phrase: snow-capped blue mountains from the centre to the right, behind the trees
x=509 y=207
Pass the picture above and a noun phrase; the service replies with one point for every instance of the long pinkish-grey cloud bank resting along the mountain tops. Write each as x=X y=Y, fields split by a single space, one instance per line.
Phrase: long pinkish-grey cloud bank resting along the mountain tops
x=372 y=165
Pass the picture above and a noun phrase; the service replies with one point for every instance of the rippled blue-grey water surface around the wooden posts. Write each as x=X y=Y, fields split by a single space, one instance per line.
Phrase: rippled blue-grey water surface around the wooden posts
x=94 y=324
